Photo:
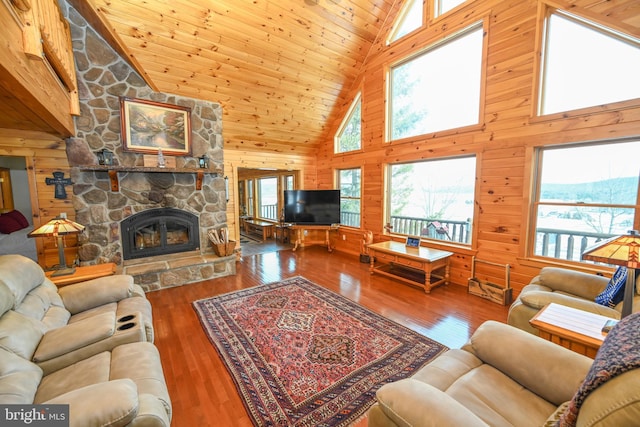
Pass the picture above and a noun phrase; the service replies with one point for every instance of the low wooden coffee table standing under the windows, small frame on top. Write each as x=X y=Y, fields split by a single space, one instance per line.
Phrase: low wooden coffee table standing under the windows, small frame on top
x=416 y=266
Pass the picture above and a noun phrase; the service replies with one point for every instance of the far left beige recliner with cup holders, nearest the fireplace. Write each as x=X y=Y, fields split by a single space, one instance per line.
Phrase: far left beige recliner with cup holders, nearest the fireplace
x=55 y=327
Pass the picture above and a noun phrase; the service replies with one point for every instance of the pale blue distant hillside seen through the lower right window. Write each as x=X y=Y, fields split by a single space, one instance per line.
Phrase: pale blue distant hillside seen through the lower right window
x=618 y=190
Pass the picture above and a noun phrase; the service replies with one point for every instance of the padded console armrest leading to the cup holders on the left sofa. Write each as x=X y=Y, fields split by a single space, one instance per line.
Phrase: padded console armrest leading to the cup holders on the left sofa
x=73 y=336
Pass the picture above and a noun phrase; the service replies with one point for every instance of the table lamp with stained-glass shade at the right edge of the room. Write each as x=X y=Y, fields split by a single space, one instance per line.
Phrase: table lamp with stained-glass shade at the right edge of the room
x=621 y=250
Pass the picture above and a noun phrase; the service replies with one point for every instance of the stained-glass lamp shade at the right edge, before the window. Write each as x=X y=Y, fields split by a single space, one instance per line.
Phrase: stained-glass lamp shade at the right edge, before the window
x=621 y=250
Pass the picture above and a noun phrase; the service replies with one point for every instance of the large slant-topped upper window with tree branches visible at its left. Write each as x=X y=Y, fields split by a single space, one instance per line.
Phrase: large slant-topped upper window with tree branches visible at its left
x=438 y=89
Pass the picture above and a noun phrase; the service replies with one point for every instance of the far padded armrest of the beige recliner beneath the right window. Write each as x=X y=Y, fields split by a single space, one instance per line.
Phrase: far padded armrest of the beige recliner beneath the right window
x=583 y=285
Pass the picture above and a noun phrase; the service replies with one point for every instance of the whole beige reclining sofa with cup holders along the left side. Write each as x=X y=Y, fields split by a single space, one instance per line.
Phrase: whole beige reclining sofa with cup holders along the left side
x=88 y=345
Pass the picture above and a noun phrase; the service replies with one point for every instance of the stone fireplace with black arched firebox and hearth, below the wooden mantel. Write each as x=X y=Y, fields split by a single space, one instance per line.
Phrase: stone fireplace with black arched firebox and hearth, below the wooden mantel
x=187 y=215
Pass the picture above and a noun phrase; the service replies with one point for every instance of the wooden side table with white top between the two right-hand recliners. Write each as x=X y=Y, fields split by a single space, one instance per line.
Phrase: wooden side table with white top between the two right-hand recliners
x=577 y=330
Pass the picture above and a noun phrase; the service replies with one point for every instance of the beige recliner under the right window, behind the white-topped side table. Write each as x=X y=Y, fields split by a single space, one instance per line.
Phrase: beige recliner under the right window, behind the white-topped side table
x=561 y=286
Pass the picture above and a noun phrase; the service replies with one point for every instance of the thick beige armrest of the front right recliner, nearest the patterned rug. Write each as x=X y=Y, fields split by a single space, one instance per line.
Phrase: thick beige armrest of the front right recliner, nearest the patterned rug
x=536 y=364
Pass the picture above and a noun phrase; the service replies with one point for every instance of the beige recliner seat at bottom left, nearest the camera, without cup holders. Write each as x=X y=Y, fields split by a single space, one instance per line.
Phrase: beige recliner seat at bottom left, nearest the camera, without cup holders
x=123 y=387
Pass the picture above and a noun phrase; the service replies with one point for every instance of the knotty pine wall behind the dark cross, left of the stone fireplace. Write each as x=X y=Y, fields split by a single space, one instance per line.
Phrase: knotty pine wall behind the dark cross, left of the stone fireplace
x=44 y=154
